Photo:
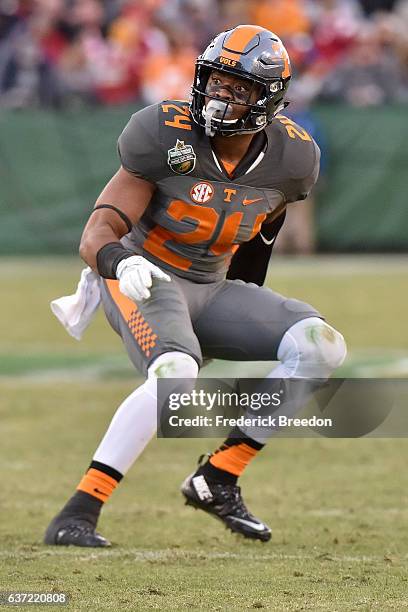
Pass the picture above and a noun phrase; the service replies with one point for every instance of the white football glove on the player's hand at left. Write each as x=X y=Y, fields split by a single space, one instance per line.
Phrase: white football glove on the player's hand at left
x=135 y=276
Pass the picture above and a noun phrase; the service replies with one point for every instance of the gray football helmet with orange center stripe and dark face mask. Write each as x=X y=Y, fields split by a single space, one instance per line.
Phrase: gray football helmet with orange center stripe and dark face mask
x=258 y=57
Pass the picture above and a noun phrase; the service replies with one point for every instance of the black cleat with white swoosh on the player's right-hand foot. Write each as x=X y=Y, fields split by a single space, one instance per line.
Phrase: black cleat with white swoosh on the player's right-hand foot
x=224 y=501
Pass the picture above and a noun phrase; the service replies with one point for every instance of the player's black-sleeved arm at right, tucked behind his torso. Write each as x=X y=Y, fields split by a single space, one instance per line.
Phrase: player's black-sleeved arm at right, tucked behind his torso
x=250 y=262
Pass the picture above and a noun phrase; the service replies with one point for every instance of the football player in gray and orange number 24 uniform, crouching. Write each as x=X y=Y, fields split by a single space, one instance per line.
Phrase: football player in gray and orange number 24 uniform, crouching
x=201 y=192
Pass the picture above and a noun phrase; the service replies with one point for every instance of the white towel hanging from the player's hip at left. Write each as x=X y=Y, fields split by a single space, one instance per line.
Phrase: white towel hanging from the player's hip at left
x=76 y=311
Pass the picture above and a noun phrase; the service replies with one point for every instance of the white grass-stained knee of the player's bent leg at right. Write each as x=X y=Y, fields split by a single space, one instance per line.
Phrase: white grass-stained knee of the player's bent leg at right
x=312 y=349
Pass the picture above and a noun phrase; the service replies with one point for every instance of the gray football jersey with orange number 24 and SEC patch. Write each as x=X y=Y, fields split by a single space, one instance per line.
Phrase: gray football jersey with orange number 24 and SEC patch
x=198 y=216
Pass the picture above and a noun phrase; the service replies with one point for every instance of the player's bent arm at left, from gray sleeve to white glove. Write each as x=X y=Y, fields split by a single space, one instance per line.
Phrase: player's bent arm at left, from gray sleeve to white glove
x=123 y=201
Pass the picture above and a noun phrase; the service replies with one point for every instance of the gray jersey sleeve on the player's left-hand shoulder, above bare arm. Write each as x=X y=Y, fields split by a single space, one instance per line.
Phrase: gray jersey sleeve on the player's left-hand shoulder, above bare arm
x=139 y=146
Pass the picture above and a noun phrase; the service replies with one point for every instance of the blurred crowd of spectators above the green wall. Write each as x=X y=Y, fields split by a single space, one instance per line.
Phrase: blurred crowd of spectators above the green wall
x=65 y=52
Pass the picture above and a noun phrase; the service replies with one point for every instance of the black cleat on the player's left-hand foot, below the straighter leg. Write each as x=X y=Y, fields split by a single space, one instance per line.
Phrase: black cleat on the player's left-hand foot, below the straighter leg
x=73 y=531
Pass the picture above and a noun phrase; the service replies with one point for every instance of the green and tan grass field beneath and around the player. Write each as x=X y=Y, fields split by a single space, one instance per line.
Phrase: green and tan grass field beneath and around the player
x=338 y=508
